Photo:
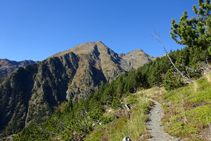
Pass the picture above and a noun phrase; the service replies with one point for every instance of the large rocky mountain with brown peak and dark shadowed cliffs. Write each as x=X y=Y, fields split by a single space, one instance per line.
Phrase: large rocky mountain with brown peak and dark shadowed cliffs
x=32 y=93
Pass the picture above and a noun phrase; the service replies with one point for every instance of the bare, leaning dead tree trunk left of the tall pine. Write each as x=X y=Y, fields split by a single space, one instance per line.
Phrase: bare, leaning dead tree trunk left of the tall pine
x=158 y=38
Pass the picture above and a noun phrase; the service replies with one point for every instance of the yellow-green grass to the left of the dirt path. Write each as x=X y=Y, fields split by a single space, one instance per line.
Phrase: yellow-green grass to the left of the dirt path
x=133 y=127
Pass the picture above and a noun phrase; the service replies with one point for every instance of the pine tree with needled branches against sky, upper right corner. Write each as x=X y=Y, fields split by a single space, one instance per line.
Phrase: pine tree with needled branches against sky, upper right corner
x=196 y=31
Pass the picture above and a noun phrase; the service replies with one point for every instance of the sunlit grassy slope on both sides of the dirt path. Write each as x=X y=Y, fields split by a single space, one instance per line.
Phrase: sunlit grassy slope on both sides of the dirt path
x=187 y=114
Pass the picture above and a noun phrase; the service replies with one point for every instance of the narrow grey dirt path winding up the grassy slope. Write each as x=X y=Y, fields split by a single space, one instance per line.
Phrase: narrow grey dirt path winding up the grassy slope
x=155 y=127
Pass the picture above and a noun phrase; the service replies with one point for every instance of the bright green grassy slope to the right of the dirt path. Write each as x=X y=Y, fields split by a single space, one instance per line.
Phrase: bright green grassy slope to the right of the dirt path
x=187 y=110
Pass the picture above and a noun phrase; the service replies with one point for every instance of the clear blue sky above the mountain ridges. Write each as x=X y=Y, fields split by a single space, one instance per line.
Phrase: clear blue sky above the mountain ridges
x=37 y=29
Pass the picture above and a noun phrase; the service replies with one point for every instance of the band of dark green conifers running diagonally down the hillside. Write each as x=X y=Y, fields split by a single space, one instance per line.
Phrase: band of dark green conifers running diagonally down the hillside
x=77 y=117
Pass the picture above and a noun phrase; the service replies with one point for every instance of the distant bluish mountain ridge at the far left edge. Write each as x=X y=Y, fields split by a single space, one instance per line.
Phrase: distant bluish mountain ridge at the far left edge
x=8 y=66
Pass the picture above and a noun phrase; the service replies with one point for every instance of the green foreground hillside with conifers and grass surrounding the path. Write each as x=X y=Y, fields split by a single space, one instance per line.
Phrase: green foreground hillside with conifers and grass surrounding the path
x=74 y=121
